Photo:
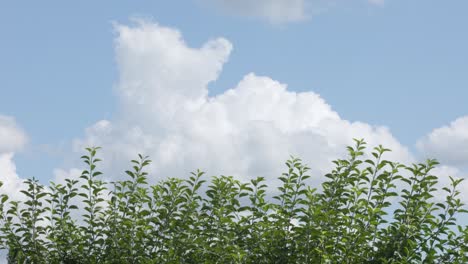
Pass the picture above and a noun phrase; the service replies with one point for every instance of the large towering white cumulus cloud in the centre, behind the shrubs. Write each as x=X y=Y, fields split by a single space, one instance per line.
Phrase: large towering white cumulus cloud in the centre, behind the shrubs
x=247 y=131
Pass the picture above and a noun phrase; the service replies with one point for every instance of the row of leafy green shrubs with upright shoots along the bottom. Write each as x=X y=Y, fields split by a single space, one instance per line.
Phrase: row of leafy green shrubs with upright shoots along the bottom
x=368 y=210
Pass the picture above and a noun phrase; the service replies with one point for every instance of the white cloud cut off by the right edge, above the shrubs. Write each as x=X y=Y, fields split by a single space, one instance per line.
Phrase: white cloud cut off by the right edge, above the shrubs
x=449 y=144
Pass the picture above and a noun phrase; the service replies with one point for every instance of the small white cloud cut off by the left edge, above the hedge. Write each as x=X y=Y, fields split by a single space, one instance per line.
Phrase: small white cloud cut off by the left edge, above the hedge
x=12 y=139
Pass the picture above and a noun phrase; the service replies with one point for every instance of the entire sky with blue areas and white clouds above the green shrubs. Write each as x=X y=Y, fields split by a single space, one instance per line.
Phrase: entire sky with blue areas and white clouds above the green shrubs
x=229 y=86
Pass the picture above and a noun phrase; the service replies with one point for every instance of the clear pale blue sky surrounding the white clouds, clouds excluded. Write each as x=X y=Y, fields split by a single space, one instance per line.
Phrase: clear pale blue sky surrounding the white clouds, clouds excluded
x=401 y=64
